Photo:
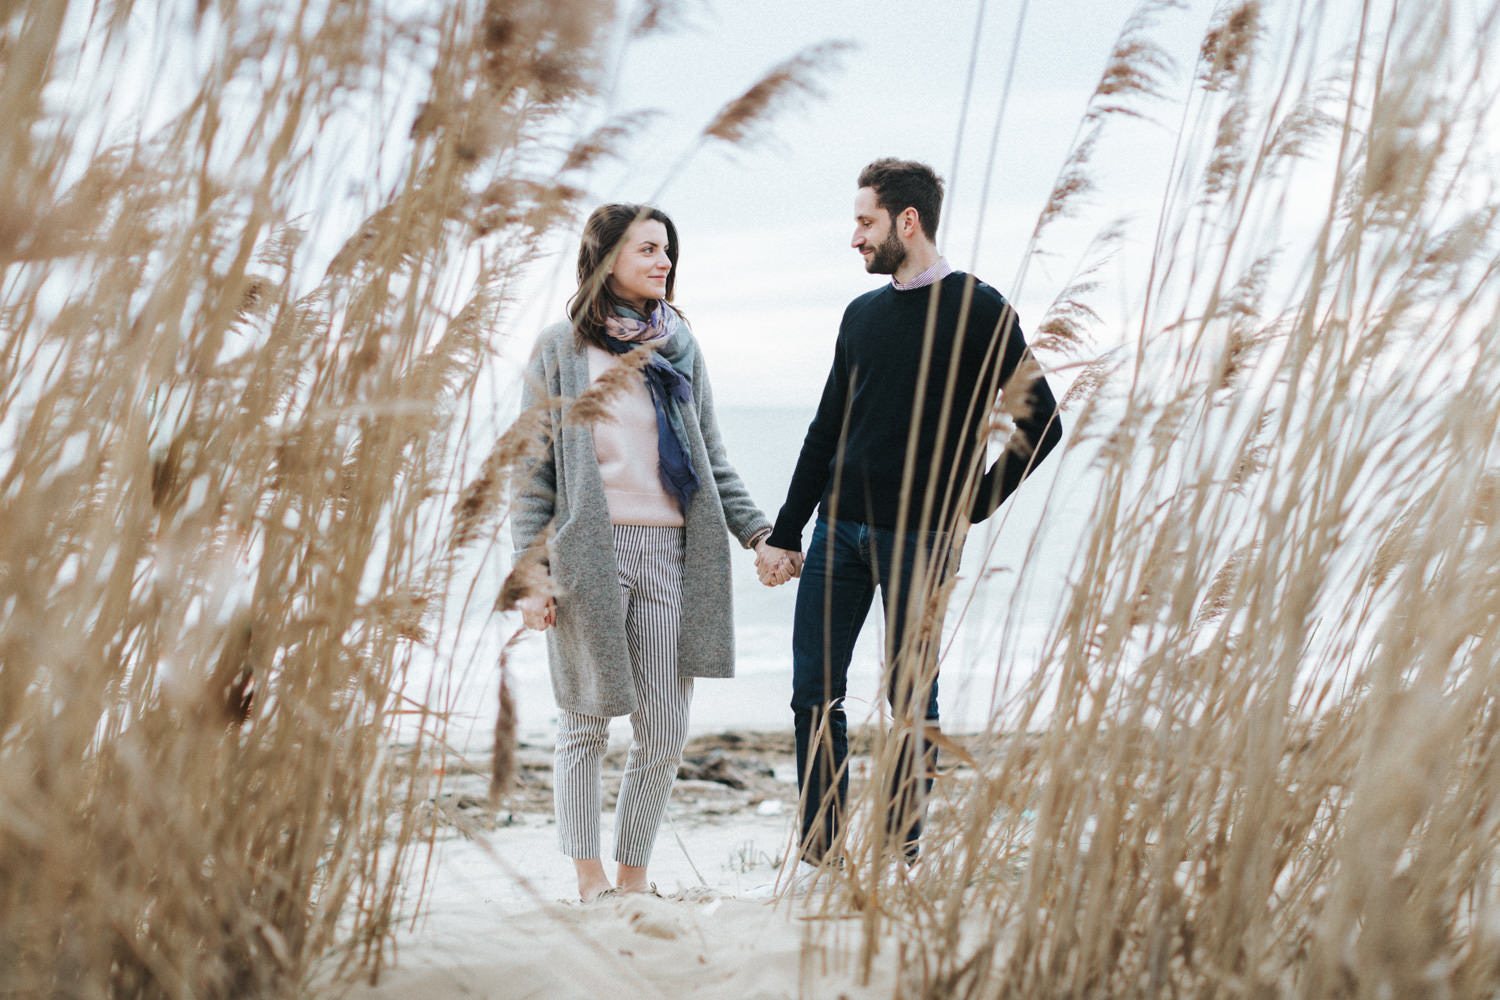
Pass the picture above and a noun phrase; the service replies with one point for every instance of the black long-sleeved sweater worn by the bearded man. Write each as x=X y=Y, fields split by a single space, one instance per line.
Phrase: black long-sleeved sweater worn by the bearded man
x=856 y=455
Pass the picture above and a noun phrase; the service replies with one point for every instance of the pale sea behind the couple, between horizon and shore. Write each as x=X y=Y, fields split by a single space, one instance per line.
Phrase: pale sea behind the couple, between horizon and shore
x=995 y=635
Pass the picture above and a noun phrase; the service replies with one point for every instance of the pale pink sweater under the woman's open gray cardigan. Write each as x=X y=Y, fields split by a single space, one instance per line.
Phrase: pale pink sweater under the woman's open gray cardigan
x=626 y=448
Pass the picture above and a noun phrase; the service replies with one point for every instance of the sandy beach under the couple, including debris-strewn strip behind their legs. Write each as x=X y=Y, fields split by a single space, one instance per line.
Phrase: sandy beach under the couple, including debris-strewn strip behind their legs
x=500 y=915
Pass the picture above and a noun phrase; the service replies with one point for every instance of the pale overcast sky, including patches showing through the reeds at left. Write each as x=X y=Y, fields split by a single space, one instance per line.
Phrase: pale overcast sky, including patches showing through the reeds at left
x=767 y=269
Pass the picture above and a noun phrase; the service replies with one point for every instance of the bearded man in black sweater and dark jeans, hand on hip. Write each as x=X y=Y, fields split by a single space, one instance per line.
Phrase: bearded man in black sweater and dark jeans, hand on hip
x=895 y=463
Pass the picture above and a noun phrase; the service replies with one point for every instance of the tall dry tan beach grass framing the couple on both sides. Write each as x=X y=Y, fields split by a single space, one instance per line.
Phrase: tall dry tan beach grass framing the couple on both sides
x=1255 y=758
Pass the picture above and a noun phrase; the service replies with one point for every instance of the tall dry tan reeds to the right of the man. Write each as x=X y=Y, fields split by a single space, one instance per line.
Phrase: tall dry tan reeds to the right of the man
x=1256 y=755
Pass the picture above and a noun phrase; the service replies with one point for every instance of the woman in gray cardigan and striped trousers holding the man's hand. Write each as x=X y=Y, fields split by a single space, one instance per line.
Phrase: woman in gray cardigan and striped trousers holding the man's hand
x=640 y=499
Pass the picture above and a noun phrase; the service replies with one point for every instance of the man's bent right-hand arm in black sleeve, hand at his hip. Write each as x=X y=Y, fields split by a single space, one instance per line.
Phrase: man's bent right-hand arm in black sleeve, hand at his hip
x=1034 y=412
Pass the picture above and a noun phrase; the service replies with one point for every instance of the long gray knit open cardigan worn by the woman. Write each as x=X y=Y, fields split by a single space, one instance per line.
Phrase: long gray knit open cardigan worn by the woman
x=587 y=648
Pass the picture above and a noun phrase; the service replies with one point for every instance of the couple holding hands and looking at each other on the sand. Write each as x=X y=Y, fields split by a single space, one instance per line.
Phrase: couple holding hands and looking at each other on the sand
x=625 y=515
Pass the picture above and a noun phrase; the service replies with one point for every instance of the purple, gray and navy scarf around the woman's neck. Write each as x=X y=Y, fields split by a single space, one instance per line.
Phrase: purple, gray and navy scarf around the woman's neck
x=671 y=388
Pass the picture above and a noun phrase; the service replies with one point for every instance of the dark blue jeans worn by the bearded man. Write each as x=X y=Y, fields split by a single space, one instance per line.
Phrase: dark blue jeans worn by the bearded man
x=847 y=563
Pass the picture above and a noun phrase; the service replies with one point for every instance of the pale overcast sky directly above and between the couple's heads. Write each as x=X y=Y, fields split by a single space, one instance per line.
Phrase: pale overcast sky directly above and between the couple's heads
x=767 y=266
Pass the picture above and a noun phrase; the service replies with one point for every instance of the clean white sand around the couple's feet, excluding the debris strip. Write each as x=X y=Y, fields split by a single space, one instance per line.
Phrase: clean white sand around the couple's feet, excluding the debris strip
x=496 y=924
